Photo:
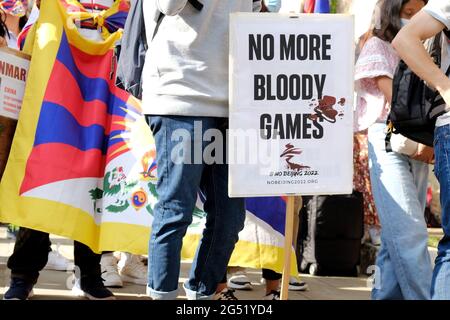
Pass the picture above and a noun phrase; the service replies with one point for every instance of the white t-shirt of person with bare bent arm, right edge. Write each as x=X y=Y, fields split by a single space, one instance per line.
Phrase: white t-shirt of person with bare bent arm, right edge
x=440 y=10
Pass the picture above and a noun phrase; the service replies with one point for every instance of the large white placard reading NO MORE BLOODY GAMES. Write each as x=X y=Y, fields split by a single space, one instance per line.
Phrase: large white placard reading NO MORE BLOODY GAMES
x=291 y=102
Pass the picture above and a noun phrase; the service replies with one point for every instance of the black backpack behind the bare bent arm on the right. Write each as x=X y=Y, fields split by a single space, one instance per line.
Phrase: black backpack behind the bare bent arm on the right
x=415 y=107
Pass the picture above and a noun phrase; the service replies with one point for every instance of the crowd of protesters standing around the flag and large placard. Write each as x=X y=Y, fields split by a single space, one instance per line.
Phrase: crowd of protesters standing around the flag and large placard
x=189 y=48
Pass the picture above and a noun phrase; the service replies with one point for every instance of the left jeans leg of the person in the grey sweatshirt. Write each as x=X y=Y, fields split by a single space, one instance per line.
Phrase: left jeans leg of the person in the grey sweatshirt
x=177 y=189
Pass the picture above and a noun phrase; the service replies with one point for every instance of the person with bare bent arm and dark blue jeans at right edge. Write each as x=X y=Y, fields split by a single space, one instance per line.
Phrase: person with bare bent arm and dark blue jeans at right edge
x=433 y=19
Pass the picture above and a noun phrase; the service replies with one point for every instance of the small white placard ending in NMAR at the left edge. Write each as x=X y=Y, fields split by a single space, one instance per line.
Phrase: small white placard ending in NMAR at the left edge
x=13 y=74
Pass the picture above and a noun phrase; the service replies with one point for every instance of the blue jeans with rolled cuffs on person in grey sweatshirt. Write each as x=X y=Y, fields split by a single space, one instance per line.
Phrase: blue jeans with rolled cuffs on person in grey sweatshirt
x=178 y=186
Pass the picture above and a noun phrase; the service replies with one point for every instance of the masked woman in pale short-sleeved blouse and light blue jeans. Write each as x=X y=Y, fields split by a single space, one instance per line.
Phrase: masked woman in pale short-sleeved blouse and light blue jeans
x=399 y=182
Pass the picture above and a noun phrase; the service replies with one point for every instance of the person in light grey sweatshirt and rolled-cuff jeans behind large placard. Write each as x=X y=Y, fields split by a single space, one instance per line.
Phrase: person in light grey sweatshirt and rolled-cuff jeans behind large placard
x=185 y=94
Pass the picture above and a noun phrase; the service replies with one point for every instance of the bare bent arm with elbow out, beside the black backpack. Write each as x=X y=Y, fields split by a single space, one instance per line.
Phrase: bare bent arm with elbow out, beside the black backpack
x=408 y=44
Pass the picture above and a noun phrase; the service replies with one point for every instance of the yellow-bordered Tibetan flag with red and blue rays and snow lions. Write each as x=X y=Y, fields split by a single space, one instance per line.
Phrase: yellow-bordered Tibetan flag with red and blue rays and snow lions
x=82 y=164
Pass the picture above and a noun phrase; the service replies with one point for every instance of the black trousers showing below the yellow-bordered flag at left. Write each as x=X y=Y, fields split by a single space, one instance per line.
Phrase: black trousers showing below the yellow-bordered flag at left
x=31 y=254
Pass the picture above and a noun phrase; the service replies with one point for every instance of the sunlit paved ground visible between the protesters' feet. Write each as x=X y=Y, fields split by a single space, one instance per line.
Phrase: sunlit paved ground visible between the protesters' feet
x=54 y=285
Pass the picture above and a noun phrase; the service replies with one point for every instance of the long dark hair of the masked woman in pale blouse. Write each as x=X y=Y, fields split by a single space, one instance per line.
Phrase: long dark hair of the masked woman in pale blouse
x=389 y=19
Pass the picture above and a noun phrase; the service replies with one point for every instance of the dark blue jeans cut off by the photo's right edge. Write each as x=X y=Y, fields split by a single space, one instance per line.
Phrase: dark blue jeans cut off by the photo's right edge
x=441 y=277
